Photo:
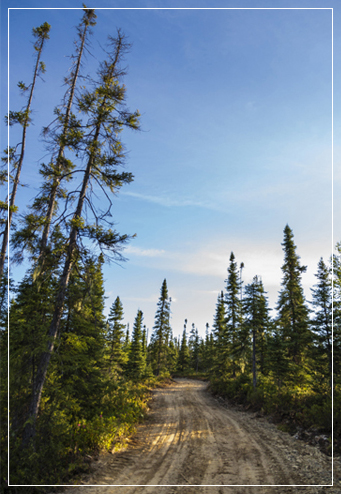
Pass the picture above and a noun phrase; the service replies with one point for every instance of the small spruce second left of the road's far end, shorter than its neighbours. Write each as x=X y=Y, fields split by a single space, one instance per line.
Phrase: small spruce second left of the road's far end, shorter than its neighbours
x=136 y=365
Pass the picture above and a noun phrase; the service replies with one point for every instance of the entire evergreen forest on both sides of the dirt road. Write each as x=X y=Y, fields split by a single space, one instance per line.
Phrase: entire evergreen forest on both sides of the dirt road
x=78 y=380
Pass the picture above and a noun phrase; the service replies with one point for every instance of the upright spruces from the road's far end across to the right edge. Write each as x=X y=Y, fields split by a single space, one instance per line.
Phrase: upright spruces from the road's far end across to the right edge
x=292 y=348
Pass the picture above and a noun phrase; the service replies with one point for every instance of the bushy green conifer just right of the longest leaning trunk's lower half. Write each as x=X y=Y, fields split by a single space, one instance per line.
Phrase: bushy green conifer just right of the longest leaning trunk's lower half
x=80 y=352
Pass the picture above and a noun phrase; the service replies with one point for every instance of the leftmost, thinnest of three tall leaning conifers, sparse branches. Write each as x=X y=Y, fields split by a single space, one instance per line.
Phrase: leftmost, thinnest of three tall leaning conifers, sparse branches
x=23 y=118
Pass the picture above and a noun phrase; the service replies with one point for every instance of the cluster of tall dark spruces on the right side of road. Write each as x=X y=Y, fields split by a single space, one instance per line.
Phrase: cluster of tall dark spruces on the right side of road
x=294 y=347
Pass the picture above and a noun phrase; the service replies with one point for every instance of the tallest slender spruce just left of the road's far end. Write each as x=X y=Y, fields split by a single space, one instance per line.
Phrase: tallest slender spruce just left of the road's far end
x=161 y=332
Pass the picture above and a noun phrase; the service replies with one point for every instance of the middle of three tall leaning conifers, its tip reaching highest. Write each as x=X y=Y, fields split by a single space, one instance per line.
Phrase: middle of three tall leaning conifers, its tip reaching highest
x=65 y=133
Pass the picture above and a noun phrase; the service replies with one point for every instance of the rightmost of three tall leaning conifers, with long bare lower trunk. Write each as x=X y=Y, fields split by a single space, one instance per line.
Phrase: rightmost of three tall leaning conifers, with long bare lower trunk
x=103 y=152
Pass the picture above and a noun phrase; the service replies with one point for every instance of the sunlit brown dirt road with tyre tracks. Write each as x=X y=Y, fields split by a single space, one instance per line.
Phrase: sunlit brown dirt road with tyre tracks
x=190 y=439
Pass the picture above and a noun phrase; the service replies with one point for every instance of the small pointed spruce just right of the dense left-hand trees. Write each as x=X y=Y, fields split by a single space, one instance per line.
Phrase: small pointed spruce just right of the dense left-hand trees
x=115 y=336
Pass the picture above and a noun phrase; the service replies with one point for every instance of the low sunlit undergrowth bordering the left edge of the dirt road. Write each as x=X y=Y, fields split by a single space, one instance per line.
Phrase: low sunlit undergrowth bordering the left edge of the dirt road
x=64 y=443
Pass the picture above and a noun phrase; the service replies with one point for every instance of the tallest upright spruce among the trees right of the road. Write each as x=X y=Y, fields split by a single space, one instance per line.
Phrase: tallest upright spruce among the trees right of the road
x=292 y=320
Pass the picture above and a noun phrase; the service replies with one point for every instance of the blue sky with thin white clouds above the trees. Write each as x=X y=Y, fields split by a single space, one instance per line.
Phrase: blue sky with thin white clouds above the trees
x=236 y=140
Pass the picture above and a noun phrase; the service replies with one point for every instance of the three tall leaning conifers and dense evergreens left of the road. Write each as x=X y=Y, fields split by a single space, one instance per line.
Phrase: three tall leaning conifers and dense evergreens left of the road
x=61 y=357
